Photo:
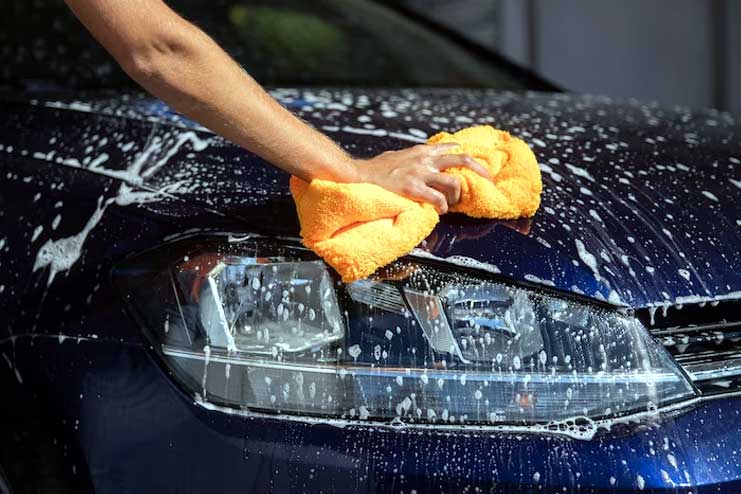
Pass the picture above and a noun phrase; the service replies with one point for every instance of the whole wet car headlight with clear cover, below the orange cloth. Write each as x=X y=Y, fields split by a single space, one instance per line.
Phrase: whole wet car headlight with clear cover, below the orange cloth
x=267 y=327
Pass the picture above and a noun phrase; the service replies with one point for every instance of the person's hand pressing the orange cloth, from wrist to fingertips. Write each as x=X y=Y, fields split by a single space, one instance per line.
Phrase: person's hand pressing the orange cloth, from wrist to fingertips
x=415 y=173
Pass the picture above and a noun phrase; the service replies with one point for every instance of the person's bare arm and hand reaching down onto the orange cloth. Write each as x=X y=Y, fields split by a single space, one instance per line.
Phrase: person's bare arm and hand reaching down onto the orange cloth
x=181 y=65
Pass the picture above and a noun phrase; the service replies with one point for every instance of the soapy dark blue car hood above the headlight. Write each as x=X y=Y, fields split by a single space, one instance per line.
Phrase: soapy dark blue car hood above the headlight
x=640 y=203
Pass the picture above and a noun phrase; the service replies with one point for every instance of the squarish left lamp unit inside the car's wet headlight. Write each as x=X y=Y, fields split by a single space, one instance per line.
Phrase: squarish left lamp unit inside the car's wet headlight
x=260 y=306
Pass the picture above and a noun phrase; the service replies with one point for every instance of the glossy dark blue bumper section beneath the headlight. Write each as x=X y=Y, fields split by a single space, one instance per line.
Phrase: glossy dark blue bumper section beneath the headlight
x=134 y=431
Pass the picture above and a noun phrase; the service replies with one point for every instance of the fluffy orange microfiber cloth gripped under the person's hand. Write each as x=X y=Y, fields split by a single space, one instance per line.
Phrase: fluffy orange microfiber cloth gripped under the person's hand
x=357 y=228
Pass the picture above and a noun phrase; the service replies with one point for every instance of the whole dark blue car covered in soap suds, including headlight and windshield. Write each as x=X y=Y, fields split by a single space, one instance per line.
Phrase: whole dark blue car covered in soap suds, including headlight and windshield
x=164 y=329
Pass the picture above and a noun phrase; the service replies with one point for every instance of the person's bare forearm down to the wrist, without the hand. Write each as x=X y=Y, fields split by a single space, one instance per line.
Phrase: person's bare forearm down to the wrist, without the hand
x=182 y=66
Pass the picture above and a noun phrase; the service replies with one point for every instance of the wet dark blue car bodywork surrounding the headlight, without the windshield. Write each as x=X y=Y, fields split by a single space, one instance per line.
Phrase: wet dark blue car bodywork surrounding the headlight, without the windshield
x=639 y=215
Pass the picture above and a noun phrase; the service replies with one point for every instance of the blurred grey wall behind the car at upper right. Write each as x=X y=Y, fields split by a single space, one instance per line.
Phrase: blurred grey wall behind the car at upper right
x=684 y=52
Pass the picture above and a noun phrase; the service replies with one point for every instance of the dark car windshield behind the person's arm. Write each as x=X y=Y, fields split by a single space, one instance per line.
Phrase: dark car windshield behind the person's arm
x=280 y=42
